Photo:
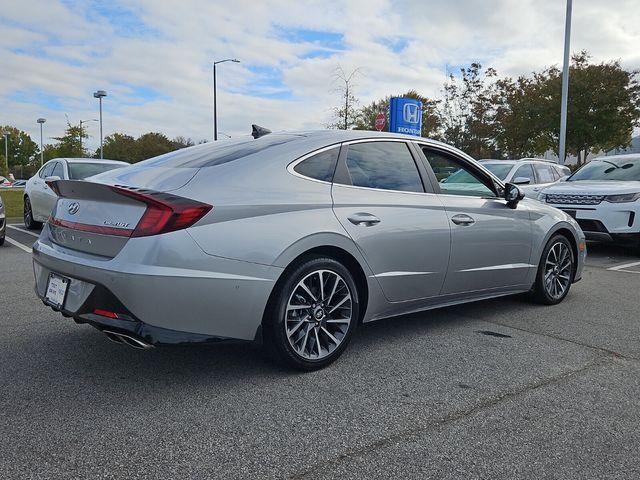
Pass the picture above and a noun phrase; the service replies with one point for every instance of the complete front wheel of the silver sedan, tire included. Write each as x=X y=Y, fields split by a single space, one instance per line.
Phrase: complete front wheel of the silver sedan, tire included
x=555 y=272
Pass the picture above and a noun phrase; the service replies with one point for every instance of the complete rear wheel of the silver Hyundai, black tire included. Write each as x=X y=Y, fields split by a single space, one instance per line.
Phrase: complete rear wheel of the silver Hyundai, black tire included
x=313 y=337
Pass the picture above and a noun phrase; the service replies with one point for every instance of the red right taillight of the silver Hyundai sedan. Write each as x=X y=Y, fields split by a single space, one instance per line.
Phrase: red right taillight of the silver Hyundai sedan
x=165 y=212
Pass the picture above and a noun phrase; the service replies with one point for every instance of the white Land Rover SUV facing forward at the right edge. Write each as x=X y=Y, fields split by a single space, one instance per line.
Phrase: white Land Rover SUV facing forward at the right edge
x=604 y=197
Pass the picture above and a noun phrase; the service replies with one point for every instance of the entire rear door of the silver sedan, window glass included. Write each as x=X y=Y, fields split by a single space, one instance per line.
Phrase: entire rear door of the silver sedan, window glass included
x=403 y=235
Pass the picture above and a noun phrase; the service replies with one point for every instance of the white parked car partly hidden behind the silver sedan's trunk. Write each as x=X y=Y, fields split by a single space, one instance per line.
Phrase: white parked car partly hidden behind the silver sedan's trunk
x=39 y=199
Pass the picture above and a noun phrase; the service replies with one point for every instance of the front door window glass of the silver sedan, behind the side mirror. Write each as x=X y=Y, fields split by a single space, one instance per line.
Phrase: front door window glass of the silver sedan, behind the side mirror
x=459 y=179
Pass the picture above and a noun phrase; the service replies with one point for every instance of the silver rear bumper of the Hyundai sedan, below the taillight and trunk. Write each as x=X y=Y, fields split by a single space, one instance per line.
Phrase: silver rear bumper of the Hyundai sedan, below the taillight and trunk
x=205 y=298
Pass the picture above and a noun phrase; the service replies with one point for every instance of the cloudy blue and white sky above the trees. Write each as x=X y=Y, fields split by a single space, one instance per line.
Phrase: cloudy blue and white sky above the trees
x=154 y=57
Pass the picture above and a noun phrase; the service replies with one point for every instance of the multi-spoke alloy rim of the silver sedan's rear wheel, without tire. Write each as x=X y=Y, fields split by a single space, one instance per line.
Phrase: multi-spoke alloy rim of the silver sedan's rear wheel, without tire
x=318 y=314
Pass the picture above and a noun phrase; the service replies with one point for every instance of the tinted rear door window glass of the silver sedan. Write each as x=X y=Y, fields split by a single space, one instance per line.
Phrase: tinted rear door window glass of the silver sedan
x=383 y=165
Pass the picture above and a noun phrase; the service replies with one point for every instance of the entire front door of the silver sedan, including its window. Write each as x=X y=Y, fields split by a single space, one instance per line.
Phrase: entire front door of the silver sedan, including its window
x=490 y=241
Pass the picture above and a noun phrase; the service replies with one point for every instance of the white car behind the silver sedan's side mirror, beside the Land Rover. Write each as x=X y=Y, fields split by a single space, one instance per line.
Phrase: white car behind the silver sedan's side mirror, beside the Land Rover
x=530 y=174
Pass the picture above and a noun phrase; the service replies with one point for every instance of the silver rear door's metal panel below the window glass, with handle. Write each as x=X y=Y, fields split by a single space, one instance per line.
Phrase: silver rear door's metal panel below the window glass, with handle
x=408 y=248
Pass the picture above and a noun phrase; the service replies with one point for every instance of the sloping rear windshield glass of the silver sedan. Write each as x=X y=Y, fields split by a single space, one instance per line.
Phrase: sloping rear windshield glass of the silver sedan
x=217 y=153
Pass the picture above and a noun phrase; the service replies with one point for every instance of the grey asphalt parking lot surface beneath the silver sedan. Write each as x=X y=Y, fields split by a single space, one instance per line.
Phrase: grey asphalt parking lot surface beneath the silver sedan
x=498 y=389
